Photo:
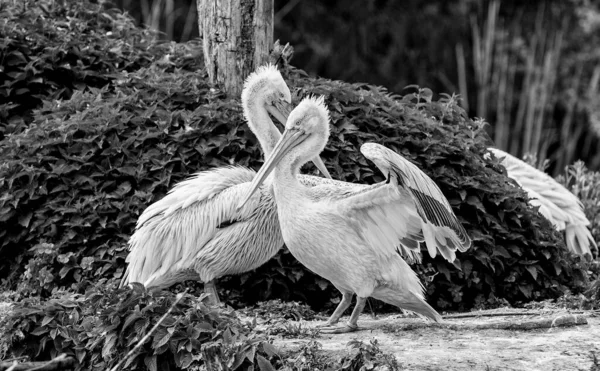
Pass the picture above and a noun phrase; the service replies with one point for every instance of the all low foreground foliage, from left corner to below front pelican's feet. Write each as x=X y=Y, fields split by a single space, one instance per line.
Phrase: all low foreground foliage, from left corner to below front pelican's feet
x=133 y=329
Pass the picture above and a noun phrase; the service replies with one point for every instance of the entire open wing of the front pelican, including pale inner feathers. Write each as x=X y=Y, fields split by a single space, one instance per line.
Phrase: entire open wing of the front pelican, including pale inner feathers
x=404 y=210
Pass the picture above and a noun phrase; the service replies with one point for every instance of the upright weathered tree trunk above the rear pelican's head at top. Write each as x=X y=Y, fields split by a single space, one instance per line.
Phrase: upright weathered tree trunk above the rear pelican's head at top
x=236 y=35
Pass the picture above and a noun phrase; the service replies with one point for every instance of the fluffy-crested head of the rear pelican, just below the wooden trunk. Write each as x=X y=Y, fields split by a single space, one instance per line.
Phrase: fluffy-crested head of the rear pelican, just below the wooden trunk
x=266 y=87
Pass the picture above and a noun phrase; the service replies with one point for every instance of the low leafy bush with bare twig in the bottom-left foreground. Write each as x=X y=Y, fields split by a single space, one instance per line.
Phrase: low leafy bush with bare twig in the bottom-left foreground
x=102 y=326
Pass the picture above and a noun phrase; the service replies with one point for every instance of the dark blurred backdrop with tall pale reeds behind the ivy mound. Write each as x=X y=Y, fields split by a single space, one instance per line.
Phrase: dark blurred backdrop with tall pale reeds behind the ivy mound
x=530 y=68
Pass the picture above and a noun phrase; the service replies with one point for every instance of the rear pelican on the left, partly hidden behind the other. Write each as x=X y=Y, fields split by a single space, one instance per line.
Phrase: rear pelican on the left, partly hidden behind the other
x=195 y=232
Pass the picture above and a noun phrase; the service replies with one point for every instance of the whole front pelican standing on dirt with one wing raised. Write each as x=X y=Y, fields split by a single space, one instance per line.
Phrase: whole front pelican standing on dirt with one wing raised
x=352 y=236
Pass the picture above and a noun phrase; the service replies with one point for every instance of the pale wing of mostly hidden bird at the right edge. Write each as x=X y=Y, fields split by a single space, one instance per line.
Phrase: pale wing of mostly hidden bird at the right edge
x=561 y=207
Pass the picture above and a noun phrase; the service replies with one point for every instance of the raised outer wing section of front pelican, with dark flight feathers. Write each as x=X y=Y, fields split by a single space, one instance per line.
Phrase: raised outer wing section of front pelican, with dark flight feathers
x=440 y=227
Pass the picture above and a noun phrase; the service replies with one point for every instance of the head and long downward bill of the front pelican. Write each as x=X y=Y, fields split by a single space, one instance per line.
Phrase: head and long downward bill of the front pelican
x=305 y=136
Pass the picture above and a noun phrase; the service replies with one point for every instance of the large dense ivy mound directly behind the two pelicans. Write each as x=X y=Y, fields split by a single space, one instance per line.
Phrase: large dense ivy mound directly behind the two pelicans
x=74 y=183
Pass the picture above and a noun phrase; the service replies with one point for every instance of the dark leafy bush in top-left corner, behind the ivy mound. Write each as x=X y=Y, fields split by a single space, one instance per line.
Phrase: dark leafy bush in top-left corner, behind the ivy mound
x=52 y=49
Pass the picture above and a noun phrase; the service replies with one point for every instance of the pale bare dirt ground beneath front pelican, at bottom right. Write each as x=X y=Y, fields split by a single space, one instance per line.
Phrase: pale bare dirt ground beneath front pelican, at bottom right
x=565 y=341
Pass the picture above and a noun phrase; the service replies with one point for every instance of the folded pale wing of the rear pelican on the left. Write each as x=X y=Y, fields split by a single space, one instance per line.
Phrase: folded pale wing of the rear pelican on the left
x=170 y=232
